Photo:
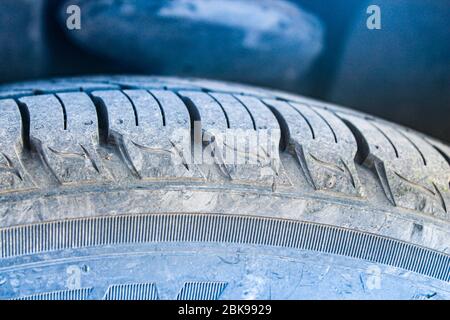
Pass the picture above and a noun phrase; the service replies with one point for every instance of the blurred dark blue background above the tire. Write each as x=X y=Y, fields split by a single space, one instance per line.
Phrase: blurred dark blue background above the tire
x=317 y=48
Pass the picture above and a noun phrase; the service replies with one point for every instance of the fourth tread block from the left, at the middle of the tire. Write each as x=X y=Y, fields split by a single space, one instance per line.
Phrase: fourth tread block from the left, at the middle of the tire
x=242 y=151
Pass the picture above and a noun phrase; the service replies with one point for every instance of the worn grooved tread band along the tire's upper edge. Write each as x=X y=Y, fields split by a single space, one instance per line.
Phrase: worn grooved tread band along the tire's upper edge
x=148 y=120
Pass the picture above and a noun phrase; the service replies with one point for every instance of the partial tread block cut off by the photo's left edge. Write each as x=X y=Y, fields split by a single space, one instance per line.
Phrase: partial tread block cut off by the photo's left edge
x=12 y=174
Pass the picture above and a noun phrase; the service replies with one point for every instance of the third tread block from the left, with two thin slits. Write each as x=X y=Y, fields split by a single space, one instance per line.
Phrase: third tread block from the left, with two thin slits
x=151 y=149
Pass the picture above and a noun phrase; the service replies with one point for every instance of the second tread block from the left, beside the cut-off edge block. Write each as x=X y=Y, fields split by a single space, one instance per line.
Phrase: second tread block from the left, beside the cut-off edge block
x=66 y=136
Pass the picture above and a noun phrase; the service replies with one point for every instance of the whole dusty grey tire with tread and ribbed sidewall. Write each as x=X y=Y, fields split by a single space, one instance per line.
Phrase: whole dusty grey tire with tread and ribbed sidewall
x=103 y=196
